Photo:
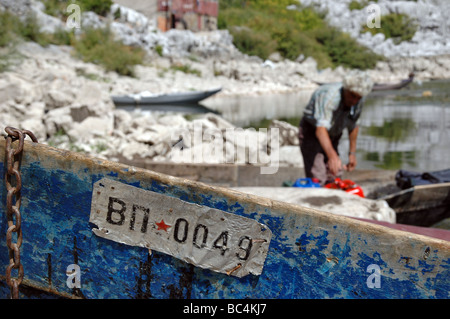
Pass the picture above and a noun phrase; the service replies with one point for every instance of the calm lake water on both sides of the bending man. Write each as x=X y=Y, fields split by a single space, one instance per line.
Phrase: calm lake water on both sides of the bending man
x=400 y=129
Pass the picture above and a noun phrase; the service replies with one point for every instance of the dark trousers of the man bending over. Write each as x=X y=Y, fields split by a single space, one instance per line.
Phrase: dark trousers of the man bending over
x=314 y=157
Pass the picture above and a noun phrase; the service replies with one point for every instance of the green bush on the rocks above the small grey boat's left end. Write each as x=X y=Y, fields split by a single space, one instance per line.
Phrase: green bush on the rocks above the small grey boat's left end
x=99 y=46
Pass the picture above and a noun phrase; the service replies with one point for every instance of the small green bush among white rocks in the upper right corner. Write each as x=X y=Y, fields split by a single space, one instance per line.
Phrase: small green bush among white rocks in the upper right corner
x=399 y=27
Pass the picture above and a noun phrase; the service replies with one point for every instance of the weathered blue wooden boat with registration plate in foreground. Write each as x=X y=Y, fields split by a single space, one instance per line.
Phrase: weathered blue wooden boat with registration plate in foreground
x=99 y=229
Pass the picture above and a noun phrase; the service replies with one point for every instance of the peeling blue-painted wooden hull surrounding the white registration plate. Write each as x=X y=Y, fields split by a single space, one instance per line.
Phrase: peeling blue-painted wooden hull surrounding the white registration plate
x=312 y=254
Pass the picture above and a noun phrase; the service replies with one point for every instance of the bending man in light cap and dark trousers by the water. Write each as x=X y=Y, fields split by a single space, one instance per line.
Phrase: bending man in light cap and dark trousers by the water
x=332 y=108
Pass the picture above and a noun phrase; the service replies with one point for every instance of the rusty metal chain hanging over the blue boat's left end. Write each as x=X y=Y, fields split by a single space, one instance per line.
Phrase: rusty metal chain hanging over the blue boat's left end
x=13 y=216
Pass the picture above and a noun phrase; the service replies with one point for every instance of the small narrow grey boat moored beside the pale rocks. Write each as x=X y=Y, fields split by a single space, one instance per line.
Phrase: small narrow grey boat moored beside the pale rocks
x=148 y=98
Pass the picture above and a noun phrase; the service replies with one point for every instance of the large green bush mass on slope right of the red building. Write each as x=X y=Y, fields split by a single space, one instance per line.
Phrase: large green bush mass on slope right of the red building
x=261 y=27
